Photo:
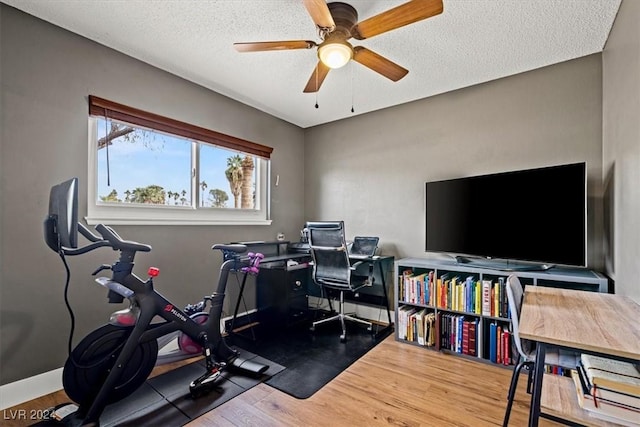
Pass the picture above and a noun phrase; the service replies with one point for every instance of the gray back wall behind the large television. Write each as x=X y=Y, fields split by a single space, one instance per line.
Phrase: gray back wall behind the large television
x=370 y=170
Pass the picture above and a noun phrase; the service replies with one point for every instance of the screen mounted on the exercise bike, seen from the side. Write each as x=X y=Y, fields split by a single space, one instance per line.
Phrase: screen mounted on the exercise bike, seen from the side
x=61 y=224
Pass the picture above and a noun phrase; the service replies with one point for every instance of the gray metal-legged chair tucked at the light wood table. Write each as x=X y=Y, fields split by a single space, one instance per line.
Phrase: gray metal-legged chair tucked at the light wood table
x=527 y=349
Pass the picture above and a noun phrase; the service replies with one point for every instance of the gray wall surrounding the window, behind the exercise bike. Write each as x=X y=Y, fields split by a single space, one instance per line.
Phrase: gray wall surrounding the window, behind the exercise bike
x=47 y=74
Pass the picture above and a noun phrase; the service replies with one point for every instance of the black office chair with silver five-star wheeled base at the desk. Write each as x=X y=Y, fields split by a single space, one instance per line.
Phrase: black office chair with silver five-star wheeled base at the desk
x=332 y=269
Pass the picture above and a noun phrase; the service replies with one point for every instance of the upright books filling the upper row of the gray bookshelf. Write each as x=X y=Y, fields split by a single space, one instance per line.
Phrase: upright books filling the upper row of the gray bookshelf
x=450 y=291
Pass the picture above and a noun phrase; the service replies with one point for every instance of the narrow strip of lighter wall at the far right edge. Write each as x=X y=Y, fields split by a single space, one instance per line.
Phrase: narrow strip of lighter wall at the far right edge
x=621 y=149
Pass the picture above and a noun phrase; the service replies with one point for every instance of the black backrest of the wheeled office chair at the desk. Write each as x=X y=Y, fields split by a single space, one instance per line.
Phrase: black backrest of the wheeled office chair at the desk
x=331 y=267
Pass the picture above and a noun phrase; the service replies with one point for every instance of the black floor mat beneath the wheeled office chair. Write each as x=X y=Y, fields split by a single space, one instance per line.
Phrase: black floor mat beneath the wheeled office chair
x=312 y=359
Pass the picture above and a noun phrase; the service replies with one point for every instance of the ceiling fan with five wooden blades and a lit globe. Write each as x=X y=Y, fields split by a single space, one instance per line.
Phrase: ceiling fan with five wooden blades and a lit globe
x=338 y=22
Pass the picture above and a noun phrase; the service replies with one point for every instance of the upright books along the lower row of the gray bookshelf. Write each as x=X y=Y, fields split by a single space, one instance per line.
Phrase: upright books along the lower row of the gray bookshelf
x=455 y=332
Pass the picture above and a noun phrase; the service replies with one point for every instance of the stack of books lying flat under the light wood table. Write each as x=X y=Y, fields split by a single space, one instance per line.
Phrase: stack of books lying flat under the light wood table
x=608 y=389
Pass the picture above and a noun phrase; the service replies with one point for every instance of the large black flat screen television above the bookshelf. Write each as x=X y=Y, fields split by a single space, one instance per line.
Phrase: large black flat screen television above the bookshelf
x=534 y=215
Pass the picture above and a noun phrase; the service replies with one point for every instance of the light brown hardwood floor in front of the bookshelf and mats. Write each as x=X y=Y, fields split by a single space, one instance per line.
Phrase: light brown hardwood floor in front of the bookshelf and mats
x=394 y=384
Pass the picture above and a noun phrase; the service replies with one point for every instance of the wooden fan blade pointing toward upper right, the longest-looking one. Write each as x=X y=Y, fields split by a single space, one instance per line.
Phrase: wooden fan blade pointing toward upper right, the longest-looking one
x=405 y=14
